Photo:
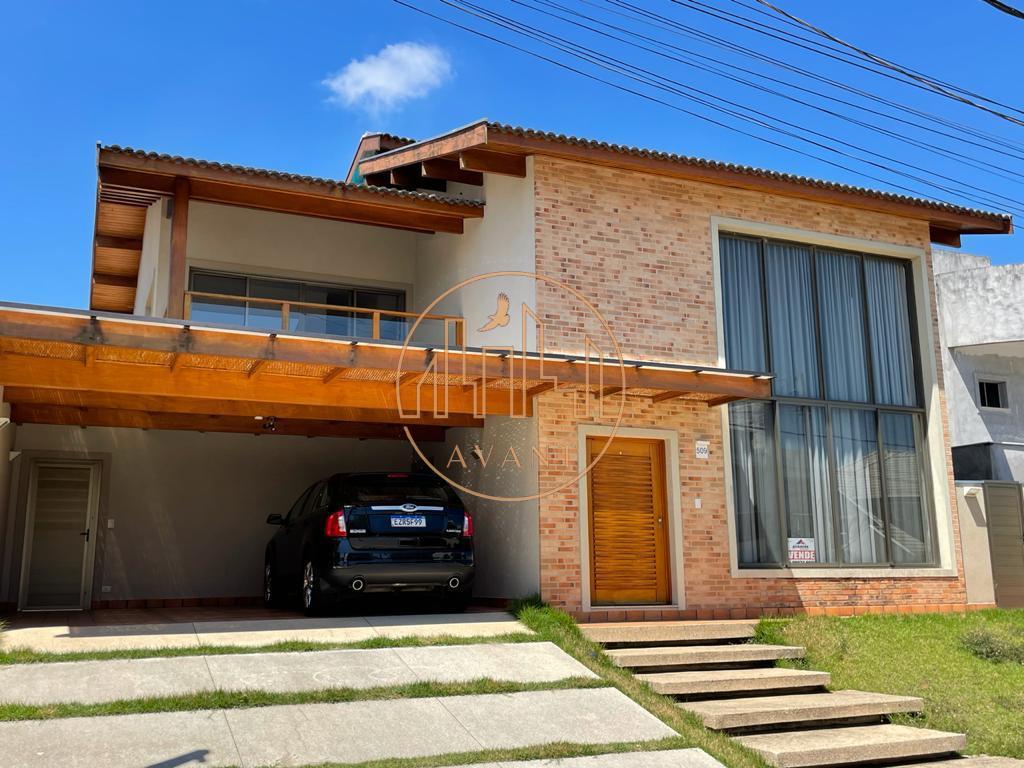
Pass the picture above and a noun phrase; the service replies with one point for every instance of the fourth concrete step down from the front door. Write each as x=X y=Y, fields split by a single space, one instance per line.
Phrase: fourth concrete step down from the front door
x=799 y=709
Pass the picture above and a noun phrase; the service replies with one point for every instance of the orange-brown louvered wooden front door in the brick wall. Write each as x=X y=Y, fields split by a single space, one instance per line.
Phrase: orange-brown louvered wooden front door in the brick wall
x=629 y=542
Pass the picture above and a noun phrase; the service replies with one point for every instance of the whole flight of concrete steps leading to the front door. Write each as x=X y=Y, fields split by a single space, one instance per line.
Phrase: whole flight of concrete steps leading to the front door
x=787 y=716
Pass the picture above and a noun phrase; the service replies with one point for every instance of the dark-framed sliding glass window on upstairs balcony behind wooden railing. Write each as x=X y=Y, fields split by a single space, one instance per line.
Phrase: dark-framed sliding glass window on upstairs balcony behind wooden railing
x=268 y=315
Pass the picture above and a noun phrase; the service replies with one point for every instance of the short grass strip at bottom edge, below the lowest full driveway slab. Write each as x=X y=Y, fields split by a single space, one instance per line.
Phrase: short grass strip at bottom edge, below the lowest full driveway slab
x=544 y=752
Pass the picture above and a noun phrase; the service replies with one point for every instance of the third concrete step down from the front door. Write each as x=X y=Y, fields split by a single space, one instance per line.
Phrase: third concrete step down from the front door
x=712 y=682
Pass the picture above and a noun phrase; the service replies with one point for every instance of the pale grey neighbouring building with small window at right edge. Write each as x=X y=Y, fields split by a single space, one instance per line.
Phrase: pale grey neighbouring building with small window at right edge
x=982 y=326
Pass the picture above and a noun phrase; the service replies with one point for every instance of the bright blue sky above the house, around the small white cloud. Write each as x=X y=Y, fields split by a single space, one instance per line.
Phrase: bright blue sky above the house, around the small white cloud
x=243 y=82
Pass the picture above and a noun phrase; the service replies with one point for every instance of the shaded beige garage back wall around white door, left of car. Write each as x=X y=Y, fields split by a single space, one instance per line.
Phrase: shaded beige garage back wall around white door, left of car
x=189 y=509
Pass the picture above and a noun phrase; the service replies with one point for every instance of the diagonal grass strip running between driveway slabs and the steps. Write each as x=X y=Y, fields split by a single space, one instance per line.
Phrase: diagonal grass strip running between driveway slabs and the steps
x=559 y=628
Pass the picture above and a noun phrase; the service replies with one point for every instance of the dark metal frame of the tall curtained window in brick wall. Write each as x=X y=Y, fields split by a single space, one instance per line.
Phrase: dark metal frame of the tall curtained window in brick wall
x=778 y=402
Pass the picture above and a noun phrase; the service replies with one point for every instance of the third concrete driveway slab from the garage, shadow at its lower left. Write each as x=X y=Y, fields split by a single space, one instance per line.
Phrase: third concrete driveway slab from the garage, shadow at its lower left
x=307 y=735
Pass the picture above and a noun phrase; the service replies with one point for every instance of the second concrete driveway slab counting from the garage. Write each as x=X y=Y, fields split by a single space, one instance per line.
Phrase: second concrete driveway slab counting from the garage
x=96 y=682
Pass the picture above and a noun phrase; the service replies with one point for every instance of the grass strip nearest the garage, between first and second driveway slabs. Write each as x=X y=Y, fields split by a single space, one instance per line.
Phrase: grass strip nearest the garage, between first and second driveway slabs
x=28 y=656
